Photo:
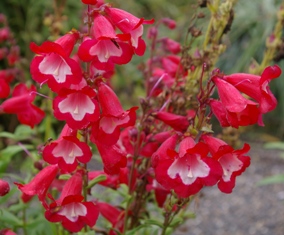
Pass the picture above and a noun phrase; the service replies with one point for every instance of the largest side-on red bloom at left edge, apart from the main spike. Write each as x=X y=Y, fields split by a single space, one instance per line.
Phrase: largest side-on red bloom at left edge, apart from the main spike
x=21 y=104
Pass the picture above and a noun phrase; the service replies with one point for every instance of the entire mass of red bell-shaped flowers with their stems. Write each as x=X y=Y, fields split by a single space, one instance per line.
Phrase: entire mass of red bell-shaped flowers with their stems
x=167 y=150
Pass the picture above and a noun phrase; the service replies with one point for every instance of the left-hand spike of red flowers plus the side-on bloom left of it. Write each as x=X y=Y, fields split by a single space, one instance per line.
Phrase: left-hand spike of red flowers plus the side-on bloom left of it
x=86 y=103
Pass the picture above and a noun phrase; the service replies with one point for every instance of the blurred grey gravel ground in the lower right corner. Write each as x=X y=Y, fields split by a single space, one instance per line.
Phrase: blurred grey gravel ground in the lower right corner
x=250 y=209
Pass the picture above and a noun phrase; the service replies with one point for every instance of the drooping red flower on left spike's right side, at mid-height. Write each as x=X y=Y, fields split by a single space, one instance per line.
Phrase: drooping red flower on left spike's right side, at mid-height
x=113 y=117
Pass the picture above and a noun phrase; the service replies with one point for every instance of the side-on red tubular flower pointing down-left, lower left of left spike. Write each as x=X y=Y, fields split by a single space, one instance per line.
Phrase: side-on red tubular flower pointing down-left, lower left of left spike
x=40 y=183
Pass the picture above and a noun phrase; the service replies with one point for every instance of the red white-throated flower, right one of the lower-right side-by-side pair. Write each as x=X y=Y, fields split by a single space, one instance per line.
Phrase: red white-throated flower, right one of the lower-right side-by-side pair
x=232 y=161
